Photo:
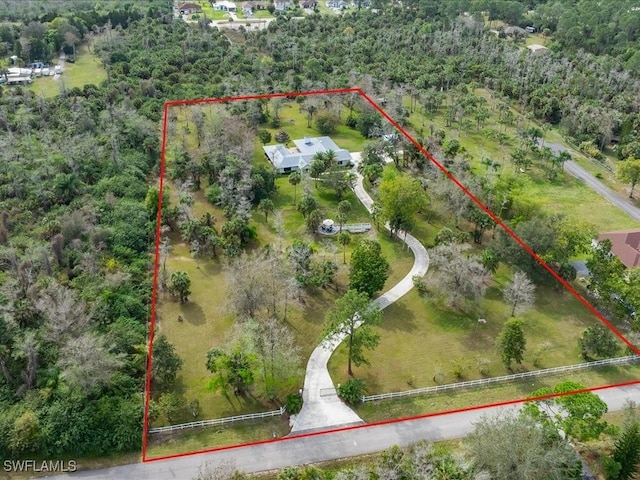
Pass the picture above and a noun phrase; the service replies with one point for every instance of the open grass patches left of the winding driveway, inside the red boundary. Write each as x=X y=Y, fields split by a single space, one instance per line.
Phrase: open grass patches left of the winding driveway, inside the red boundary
x=206 y=319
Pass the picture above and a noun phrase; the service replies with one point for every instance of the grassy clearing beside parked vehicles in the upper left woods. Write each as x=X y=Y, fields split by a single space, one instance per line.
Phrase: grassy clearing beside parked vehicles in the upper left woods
x=86 y=69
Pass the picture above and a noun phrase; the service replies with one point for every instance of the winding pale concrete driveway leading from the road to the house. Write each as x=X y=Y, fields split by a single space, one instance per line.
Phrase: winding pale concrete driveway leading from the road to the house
x=322 y=408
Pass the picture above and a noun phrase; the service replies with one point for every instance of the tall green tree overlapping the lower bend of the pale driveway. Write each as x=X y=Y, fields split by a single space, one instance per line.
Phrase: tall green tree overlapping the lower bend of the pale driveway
x=351 y=319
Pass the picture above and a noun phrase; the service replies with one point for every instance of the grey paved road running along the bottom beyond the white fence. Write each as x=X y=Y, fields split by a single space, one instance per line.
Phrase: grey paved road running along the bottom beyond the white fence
x=317 y=448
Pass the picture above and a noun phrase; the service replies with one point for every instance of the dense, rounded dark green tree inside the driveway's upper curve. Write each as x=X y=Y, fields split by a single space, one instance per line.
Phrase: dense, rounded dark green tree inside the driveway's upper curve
x=369 y=269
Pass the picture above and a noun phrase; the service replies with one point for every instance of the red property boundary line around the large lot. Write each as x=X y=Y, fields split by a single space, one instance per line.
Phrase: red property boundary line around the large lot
x=484 y=208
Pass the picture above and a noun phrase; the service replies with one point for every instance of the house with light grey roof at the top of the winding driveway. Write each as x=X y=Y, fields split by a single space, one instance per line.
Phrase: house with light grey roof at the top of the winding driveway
x=289 y=160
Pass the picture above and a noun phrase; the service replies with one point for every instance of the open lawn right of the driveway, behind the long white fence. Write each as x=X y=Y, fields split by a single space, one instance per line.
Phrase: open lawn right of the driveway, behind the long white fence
x=424 y=344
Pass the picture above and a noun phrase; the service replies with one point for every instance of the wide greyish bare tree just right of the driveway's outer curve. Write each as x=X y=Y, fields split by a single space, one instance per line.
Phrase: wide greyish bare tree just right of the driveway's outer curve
x=458 y=277
